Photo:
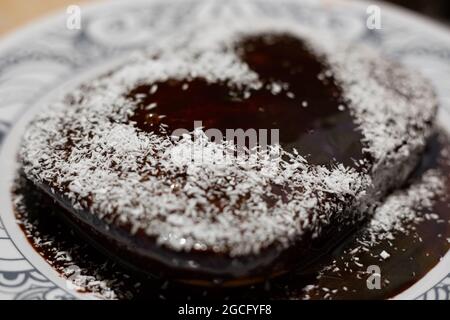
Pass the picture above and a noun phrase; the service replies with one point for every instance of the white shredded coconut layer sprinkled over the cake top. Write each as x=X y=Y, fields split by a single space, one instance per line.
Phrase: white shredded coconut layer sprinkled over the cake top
x=84 y=147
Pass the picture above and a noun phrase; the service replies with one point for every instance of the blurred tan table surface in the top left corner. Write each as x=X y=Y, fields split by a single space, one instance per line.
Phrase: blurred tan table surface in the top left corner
x=15 y=13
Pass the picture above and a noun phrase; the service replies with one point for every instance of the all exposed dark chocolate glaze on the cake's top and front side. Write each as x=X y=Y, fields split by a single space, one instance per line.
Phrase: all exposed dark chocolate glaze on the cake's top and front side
x=323 y=131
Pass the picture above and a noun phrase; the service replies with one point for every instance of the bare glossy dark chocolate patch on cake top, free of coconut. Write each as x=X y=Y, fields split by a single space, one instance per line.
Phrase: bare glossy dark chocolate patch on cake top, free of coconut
x=299 y=96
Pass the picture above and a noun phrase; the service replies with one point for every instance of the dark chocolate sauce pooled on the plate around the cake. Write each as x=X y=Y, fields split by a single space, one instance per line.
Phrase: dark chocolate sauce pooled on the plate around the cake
x=412 y=255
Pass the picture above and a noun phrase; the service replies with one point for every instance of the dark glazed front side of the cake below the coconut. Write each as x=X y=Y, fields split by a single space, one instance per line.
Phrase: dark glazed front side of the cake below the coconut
x=141 y=253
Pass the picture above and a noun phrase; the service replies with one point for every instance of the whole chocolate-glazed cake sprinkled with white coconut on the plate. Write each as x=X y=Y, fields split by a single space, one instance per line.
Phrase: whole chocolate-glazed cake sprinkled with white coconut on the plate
x=352 y=126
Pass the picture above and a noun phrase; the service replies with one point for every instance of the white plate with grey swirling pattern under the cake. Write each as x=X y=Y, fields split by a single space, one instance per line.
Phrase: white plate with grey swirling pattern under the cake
x=44 y=58
